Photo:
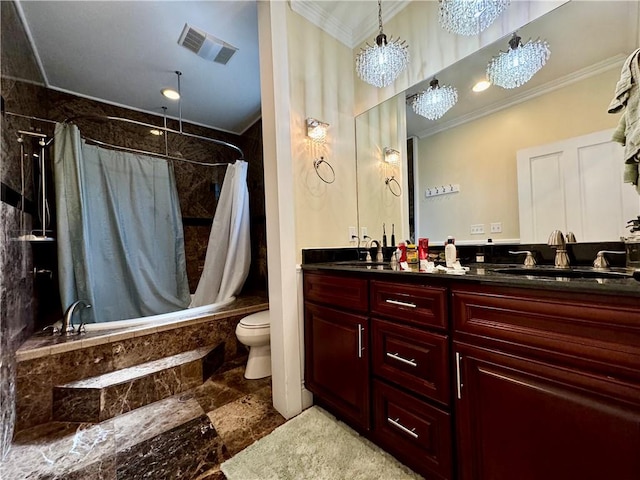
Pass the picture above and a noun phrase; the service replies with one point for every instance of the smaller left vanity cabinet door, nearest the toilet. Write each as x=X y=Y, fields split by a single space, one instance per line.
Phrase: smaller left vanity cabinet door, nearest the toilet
x=337 y=363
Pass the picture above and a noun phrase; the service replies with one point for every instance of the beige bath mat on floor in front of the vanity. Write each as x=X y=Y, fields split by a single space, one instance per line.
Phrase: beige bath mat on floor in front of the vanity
x=314 y=446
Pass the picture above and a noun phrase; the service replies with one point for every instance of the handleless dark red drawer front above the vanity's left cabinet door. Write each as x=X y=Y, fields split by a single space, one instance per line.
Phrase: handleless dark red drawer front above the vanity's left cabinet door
x=337 y=291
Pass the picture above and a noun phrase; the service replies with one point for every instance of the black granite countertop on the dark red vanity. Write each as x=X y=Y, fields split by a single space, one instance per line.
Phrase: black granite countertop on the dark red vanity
x=485 y=273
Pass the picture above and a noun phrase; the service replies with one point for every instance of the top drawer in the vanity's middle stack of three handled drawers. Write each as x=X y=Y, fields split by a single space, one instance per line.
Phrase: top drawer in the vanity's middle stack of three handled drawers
x=416 y=304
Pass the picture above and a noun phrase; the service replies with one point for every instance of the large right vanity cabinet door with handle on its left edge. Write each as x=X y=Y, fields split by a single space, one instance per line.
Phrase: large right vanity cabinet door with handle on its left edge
x=526 y=420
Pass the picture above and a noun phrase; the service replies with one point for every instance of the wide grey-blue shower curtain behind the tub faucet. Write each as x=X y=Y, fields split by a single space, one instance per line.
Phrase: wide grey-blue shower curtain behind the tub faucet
x=120 y=238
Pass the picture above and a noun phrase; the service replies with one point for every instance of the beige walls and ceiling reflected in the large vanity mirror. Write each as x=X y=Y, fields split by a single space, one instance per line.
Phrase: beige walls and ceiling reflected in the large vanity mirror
x=474 y=146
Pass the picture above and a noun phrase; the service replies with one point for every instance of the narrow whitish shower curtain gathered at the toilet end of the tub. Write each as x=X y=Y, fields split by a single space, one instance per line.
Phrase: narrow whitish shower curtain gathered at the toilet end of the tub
x=228 y=258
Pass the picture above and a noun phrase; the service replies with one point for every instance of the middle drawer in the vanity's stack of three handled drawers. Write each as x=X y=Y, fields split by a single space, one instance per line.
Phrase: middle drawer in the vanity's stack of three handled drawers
x=413 y=358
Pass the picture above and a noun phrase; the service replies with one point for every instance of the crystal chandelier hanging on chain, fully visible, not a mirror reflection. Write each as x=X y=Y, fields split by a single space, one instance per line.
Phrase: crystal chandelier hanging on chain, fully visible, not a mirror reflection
x=379 y=65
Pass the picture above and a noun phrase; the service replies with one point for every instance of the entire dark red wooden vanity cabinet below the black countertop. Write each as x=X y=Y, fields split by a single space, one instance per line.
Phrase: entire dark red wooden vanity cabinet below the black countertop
x=472 y=378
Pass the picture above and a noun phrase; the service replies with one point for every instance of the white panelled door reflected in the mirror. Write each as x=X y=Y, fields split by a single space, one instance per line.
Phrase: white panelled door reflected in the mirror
x=575 y=185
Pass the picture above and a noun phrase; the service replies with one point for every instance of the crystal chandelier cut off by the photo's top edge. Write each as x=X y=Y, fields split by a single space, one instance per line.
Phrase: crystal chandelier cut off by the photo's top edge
x=470 y=17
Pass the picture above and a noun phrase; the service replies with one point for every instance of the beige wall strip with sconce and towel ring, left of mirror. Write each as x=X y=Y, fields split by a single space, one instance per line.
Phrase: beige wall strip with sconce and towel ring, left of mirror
x=321 y=86
